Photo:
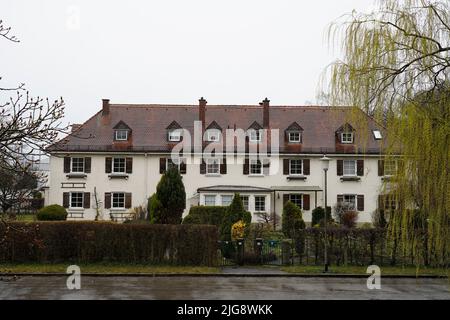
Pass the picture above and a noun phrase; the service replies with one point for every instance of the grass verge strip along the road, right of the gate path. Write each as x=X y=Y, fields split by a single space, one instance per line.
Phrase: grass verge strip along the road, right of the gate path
x=361 y=270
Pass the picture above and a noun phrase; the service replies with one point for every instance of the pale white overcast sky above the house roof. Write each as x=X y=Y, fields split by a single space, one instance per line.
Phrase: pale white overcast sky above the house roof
x=167 y=51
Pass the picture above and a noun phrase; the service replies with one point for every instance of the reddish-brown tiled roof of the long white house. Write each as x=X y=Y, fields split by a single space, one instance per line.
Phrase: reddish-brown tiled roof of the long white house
x=149 y=122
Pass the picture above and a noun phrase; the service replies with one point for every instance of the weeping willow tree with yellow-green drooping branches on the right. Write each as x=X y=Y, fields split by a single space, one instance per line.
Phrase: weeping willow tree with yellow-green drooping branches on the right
x=396 y=68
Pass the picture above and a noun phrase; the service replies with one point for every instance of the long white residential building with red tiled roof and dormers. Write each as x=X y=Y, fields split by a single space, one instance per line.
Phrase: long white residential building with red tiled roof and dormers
x=116 y=158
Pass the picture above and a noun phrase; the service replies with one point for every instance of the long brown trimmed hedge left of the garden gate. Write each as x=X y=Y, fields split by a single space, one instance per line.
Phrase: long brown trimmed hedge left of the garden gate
x=87 y=242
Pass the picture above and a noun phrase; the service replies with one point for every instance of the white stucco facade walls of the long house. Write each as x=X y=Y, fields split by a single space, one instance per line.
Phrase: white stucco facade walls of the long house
x=145 y=175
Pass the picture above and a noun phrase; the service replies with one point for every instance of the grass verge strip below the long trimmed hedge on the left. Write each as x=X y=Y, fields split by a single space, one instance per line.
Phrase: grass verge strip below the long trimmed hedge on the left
x=105 y=268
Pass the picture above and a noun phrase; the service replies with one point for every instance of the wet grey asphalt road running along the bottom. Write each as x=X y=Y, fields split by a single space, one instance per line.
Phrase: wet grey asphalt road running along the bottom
x=233 y=288
